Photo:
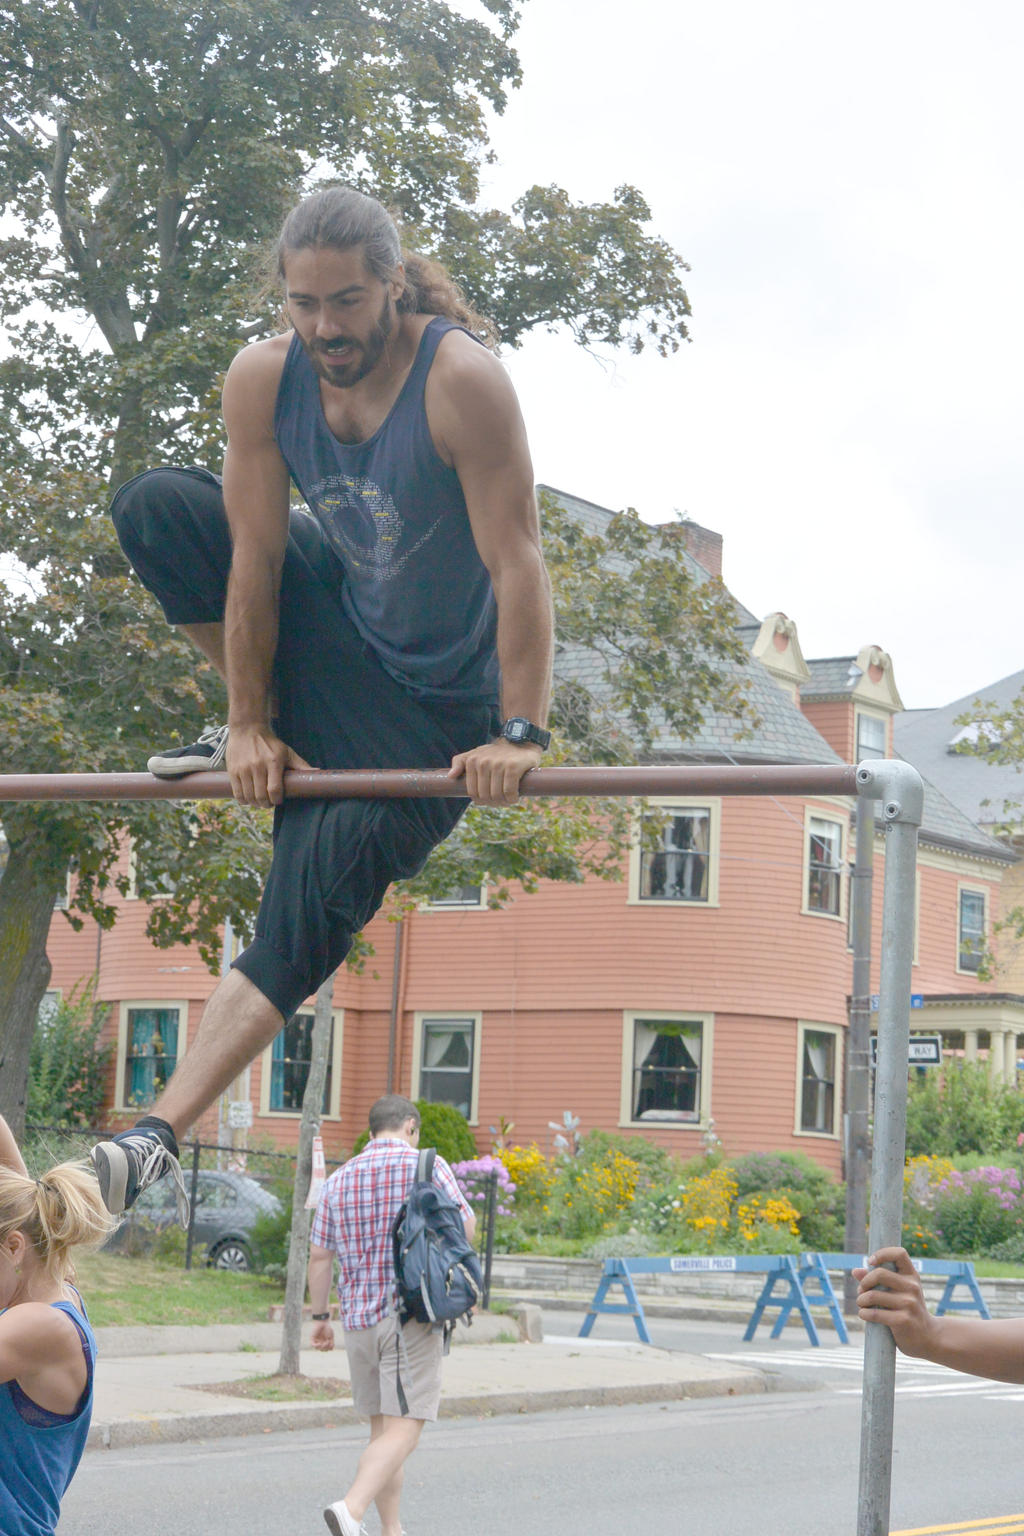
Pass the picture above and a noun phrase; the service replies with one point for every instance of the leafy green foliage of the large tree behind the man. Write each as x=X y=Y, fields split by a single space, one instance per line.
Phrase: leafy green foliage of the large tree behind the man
x=147 y=156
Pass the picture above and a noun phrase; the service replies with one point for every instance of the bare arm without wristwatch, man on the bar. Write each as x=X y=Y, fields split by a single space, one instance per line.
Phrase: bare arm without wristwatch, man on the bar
x=257 y=505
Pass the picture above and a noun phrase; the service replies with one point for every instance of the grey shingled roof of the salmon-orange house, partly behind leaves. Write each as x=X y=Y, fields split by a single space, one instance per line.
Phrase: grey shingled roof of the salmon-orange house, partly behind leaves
x=784 y=735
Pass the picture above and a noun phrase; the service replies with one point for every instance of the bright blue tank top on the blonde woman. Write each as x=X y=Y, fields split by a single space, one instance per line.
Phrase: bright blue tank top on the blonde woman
x=41 y=1451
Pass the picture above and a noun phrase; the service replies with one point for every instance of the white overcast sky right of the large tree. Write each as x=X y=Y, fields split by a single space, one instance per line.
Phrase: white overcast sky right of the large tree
x=845 y=184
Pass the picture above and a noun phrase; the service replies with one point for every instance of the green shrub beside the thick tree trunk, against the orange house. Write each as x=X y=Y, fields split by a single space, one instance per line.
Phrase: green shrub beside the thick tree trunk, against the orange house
x=68 y=1064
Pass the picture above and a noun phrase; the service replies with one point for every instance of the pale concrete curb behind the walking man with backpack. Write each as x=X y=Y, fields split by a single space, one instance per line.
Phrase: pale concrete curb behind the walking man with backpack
x=122 y=1434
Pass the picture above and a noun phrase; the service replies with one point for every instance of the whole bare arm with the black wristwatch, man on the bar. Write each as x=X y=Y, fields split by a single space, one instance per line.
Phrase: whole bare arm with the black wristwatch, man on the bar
x=478 y=428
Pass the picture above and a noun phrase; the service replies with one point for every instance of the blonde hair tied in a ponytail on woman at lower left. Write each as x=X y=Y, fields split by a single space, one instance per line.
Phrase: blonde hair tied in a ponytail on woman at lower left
x=58 y=1213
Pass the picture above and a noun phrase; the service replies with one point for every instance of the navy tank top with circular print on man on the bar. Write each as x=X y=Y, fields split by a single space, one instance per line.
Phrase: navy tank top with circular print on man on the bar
x=395 y=517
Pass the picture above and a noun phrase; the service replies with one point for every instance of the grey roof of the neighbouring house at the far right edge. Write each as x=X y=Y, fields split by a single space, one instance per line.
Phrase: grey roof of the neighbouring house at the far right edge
x=977 y=787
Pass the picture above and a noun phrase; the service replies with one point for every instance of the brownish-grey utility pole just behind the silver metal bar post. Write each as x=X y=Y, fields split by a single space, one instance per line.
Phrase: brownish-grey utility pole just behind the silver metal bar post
x=859 y=1047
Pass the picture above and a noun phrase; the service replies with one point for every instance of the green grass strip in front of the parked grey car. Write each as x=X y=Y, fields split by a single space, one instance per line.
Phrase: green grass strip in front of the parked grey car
x=124 y=1293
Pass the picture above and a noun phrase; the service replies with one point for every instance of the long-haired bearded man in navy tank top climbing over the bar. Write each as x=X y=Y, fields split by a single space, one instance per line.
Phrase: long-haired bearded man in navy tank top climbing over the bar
x=374 y=629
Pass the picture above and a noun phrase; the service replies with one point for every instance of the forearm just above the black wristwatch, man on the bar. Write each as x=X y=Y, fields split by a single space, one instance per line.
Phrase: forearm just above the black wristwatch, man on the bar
x=524 y=637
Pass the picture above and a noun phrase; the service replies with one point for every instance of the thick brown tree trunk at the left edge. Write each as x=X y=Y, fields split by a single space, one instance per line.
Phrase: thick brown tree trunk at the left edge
x=27 y=907
